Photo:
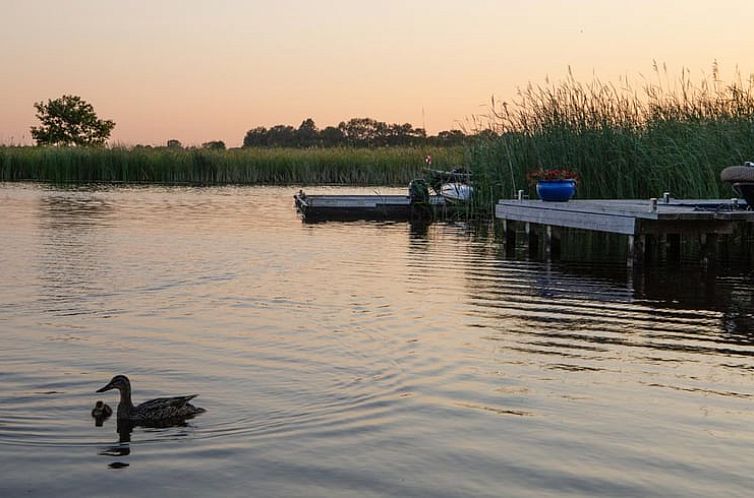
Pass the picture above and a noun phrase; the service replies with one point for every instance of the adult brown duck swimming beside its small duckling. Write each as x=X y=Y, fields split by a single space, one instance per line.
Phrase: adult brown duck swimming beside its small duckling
x=154 y=411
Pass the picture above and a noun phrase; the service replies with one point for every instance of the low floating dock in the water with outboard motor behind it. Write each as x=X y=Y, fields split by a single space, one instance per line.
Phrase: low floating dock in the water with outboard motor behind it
x=371 y=207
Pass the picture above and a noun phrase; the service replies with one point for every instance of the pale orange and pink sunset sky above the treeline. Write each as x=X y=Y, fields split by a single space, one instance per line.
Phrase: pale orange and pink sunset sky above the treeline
x=210 y=70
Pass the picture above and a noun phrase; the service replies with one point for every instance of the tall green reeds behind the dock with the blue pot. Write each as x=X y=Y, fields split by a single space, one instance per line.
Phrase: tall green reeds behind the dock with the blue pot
x=669 y=136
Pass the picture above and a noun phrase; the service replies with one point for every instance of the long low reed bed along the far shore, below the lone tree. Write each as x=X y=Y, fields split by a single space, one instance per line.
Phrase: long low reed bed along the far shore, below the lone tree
x=280 y=166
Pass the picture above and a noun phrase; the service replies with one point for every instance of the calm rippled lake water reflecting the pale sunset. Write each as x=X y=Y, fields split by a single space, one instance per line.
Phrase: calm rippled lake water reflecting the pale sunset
x=355 y=359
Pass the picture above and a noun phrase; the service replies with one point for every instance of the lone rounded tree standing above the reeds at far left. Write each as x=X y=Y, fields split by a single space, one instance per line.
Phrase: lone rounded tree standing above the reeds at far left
x=69 y=120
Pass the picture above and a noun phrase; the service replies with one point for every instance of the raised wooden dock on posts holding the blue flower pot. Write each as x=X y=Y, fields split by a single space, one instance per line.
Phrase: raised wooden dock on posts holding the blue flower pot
x=665 y=218
